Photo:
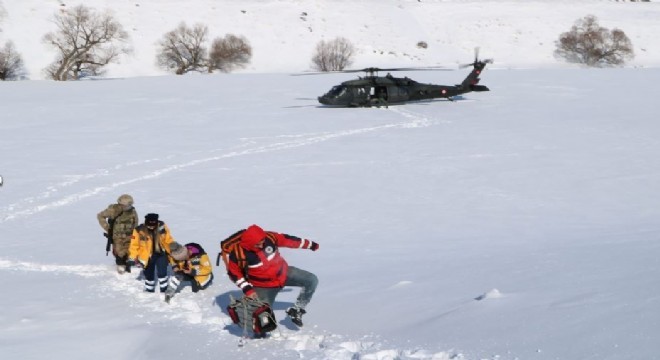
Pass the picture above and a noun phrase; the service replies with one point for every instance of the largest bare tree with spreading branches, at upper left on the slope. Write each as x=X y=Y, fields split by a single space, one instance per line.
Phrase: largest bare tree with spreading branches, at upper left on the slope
x=85 y=41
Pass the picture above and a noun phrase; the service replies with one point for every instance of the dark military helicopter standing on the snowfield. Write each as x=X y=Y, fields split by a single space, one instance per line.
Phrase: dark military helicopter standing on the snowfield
x=374 y=90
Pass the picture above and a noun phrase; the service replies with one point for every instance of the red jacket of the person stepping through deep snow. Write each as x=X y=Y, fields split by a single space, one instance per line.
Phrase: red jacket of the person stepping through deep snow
x=265 y=267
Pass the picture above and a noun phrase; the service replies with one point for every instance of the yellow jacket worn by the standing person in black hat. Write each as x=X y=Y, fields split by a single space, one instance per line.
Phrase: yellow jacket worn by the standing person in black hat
x=143 y=244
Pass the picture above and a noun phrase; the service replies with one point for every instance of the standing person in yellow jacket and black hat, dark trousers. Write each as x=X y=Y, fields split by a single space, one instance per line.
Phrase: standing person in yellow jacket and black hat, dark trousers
x=150 y=247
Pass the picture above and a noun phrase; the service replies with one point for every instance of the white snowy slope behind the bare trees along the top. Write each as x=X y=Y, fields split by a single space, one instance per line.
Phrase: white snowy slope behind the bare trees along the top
x=283 y=34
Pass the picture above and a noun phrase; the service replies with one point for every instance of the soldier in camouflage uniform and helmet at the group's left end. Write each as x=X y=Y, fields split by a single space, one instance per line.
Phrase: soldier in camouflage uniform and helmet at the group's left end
x=118 y=222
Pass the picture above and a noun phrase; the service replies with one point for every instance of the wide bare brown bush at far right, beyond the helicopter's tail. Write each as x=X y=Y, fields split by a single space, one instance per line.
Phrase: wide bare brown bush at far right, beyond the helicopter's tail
x=591 y=44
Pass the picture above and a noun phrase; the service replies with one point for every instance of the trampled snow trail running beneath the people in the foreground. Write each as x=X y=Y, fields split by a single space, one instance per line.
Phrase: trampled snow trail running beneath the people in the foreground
x=193 y=310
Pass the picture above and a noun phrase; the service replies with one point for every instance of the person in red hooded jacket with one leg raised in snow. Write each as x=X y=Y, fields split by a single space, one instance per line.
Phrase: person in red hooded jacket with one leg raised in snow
x=265 y=272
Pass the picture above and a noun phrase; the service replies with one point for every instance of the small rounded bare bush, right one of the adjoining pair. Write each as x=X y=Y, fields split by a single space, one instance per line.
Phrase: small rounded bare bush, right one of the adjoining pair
x=229 y=53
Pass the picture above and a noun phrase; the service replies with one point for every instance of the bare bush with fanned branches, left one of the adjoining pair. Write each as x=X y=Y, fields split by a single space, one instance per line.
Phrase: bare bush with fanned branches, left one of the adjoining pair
x=182 y=49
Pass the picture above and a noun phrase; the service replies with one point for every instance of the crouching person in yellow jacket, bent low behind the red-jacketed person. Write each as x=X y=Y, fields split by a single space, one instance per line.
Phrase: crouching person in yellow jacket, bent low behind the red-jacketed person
x=190 y=263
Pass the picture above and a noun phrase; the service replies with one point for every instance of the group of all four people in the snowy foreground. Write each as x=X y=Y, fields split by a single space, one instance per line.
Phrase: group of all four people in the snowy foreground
x=261 y=274
